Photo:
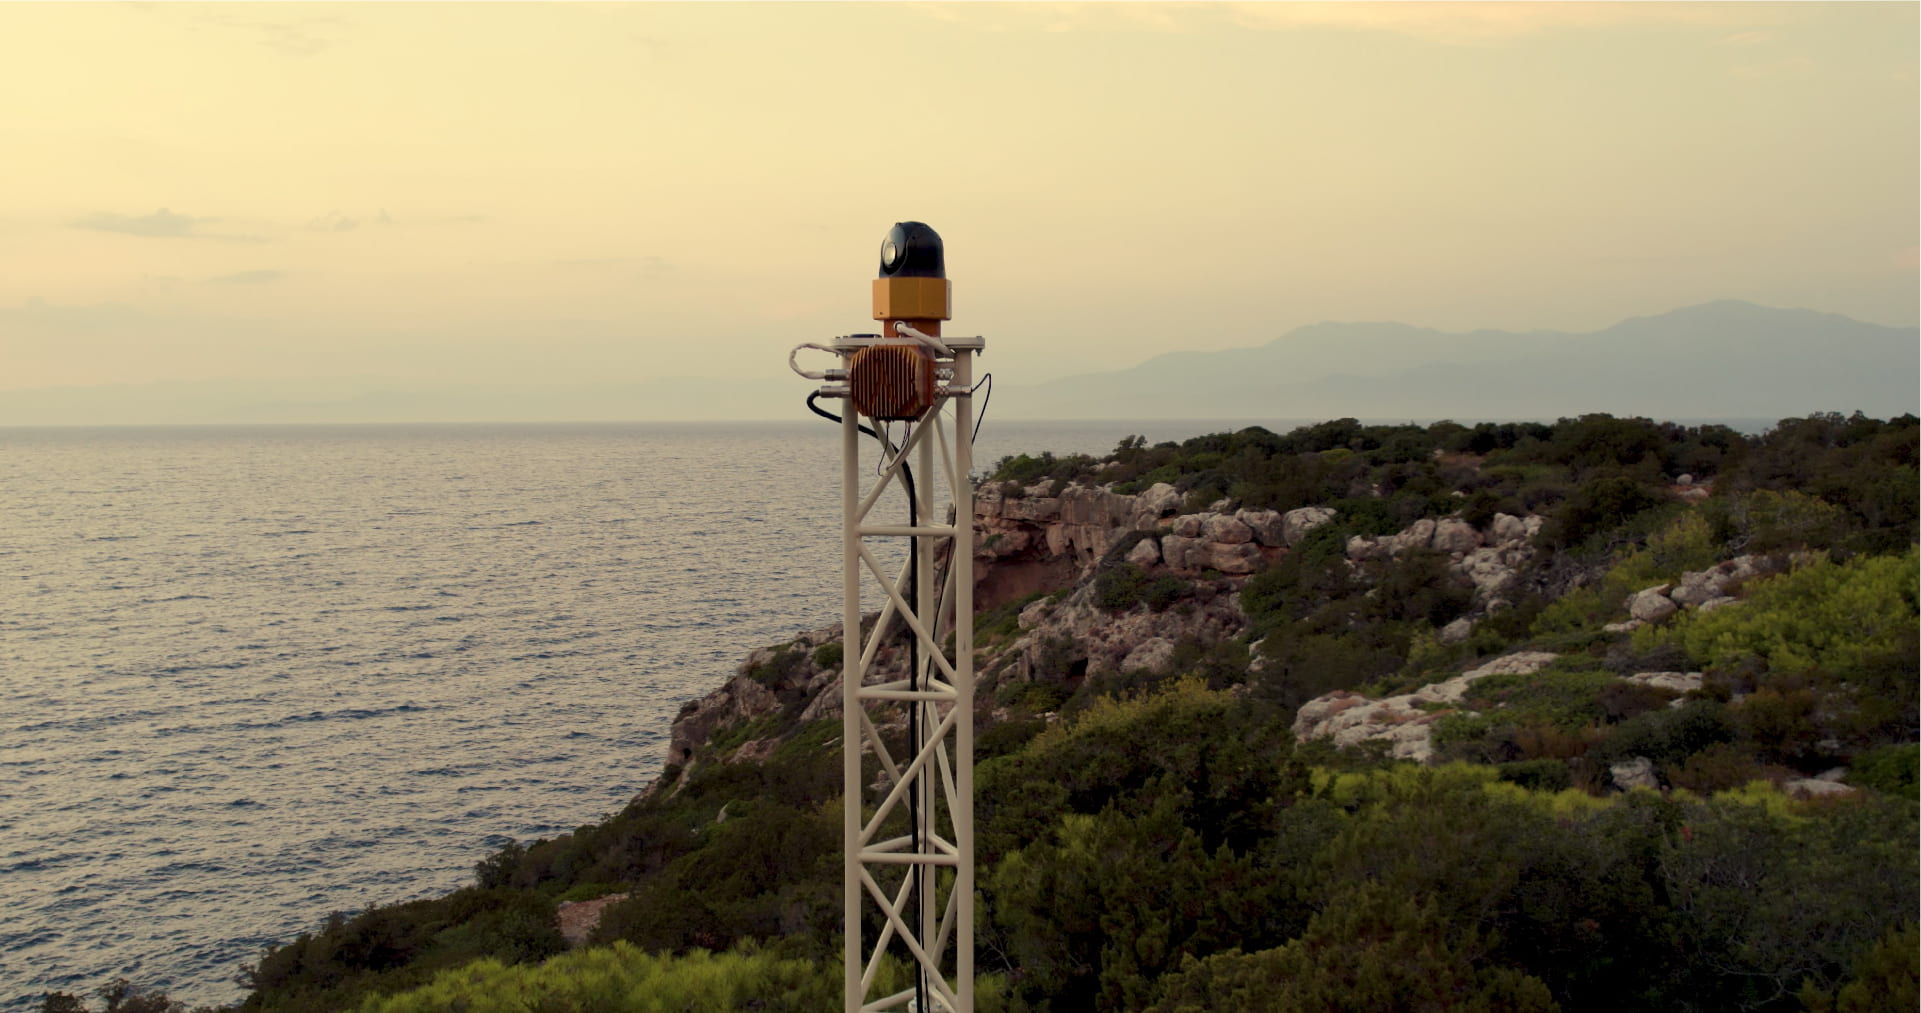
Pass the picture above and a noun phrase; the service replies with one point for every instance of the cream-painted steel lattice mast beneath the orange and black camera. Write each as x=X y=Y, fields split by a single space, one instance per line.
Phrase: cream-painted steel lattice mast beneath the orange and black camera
x=910 y=820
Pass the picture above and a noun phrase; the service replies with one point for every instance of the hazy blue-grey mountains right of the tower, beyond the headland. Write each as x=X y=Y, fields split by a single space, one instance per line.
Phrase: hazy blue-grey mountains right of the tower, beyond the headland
x=1720 y=360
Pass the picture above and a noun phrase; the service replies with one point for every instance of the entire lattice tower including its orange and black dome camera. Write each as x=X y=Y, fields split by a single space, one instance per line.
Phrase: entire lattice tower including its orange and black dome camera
x=910 y=816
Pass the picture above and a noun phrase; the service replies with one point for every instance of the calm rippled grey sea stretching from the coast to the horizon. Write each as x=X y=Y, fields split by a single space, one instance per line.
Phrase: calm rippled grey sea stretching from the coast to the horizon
x=251 y=676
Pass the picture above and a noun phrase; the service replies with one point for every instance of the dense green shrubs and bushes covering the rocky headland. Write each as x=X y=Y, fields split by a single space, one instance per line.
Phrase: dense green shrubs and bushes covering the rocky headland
x=1165 y=845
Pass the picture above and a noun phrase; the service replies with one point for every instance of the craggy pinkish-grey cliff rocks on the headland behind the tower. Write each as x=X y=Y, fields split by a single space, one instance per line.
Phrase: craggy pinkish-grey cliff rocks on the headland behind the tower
x=1054 y=543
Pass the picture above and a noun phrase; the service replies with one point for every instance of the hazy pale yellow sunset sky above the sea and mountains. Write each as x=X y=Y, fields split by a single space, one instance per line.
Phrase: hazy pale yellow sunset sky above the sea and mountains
x=610 y=191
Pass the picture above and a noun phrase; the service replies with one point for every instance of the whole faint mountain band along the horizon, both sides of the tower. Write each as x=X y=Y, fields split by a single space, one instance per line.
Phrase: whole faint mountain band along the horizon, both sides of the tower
x=1722 y=360
